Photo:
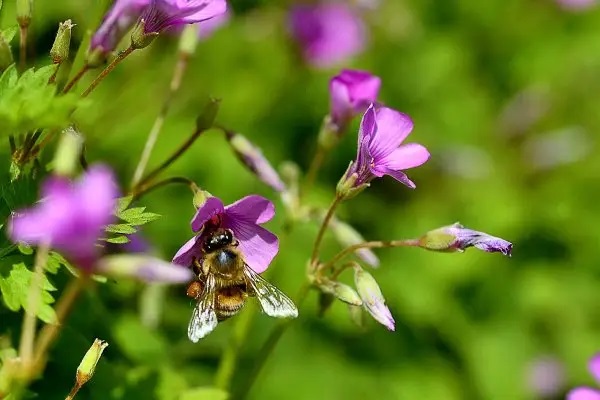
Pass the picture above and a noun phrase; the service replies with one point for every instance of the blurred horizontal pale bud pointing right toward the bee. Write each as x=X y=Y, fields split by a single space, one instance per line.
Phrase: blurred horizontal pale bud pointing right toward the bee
x=143 y=268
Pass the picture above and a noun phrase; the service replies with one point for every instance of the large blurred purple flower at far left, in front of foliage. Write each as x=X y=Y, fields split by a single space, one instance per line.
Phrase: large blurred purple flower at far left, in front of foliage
x=71 y=216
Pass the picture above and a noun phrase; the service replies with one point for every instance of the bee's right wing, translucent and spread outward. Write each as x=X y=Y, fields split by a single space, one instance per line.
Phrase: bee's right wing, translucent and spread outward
x=272 y=300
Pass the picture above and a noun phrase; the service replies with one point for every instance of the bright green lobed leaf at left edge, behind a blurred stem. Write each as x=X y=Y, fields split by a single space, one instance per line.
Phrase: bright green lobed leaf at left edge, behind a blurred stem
x=15 y=289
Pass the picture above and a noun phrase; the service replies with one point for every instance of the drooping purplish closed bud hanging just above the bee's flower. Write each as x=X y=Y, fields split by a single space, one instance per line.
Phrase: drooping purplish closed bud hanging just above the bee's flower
x=251 y=156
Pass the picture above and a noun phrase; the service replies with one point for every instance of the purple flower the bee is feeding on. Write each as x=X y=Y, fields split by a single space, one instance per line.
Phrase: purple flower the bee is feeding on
x=244 y=217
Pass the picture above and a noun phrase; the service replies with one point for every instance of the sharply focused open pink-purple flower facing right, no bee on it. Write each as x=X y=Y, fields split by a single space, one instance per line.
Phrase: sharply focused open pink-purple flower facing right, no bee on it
x=380 y=152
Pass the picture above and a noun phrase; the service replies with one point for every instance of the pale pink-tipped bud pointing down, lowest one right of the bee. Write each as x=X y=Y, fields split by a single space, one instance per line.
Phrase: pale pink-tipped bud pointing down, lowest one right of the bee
x=372 y=298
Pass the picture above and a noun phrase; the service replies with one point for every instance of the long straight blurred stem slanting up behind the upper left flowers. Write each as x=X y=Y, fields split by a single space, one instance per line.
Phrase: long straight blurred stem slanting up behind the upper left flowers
x=180 y=67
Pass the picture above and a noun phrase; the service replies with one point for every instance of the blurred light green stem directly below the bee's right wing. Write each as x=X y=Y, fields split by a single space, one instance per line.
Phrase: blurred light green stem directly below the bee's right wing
x=229 y=358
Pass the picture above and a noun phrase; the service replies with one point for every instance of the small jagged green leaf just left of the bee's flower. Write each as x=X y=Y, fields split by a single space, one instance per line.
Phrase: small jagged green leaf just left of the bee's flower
x=132 y=217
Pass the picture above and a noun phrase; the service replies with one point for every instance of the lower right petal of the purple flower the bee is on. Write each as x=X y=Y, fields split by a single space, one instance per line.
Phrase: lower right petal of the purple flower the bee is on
x=258 y=245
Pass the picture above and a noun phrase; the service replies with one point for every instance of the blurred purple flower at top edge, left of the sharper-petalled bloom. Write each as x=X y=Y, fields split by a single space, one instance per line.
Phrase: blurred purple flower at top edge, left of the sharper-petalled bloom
x=120 y=18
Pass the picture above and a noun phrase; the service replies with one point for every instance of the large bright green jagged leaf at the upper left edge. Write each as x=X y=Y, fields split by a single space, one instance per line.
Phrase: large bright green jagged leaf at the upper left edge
x=28 y=103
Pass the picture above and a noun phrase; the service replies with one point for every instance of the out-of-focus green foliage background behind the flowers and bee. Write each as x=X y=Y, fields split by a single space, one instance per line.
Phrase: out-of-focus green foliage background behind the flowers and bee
x=504 y=94
